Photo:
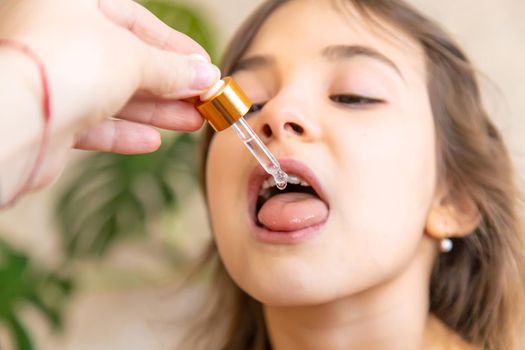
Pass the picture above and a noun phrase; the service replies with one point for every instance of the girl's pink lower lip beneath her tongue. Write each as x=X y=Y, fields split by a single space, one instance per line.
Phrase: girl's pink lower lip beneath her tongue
x=264 y=235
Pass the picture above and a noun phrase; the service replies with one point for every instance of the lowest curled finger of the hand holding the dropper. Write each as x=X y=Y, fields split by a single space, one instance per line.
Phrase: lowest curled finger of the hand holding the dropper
x=118 y=136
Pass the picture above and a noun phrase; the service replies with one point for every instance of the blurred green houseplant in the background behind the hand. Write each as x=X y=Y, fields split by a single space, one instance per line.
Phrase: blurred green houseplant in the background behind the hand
x=110 y=197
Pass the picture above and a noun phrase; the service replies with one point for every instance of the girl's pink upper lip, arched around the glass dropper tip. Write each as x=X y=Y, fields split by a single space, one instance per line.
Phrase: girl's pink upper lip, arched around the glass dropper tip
x=291 y=167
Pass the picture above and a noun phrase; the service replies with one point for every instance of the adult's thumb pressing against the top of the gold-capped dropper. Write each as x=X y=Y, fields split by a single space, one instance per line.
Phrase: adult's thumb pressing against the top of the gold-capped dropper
x=173 y=75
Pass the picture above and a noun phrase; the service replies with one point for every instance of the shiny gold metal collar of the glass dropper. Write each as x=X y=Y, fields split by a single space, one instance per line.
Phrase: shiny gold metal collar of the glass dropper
x=223 y=104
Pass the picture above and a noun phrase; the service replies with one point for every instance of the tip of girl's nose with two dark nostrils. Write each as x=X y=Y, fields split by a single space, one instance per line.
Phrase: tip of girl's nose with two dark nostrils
x=285 y=120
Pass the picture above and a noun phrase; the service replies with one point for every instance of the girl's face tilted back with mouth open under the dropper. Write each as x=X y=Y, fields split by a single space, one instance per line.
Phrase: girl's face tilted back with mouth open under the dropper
x=374 y=158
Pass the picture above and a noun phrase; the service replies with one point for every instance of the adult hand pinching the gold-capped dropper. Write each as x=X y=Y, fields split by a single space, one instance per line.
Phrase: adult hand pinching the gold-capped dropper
x=115 y=72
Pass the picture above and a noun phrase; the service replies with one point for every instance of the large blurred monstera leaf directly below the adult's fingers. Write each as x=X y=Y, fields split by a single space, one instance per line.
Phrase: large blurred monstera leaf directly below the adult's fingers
x=115 y=196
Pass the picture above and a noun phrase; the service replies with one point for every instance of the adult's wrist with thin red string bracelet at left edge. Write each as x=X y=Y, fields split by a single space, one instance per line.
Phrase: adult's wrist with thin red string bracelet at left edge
x=15 y=100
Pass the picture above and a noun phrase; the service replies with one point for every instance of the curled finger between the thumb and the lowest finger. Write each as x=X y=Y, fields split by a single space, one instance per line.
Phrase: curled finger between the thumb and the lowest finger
x=165 y=114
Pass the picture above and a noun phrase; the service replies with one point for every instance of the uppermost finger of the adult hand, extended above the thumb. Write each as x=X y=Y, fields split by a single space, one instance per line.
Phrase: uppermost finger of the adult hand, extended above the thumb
x=141 y=22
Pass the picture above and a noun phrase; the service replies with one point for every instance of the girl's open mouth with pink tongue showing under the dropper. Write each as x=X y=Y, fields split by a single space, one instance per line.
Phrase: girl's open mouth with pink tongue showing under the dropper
x=300 y=206
